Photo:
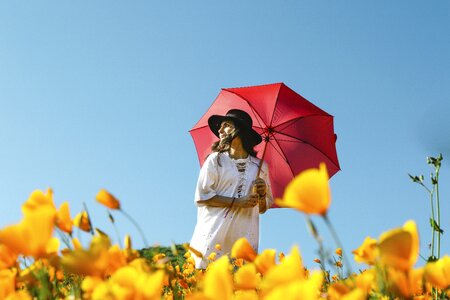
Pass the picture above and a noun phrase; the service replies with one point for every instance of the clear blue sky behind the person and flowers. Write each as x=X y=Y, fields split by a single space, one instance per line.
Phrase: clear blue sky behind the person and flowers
x=102 y=94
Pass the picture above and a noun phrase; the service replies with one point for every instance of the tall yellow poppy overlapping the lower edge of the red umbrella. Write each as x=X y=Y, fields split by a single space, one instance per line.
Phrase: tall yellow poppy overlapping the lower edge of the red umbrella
x=308 y=192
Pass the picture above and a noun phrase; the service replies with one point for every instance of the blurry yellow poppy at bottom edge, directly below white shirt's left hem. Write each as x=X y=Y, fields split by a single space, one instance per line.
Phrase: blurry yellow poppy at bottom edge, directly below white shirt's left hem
x=218 y=282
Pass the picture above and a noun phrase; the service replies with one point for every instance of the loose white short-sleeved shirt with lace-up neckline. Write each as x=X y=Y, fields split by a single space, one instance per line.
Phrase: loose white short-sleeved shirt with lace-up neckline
x=214 y=224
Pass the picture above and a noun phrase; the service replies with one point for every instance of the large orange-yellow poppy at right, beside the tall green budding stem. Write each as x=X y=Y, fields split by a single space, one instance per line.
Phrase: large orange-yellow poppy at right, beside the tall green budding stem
x=399 y=248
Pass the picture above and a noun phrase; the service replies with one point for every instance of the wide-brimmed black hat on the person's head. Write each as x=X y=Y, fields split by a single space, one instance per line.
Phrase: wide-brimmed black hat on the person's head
x=241 y=119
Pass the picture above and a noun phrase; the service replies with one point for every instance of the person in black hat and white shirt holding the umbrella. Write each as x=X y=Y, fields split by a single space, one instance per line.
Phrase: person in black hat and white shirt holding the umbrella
x=228 y=197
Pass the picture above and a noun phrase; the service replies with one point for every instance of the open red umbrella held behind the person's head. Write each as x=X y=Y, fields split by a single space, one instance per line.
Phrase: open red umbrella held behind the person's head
x=297 y=135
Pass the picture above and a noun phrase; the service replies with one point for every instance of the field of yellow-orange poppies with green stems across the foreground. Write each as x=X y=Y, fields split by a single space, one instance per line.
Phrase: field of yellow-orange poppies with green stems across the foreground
x=41 y=259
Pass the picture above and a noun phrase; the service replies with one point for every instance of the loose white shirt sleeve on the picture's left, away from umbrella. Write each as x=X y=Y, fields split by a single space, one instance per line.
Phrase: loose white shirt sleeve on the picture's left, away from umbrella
x=207 y=180
